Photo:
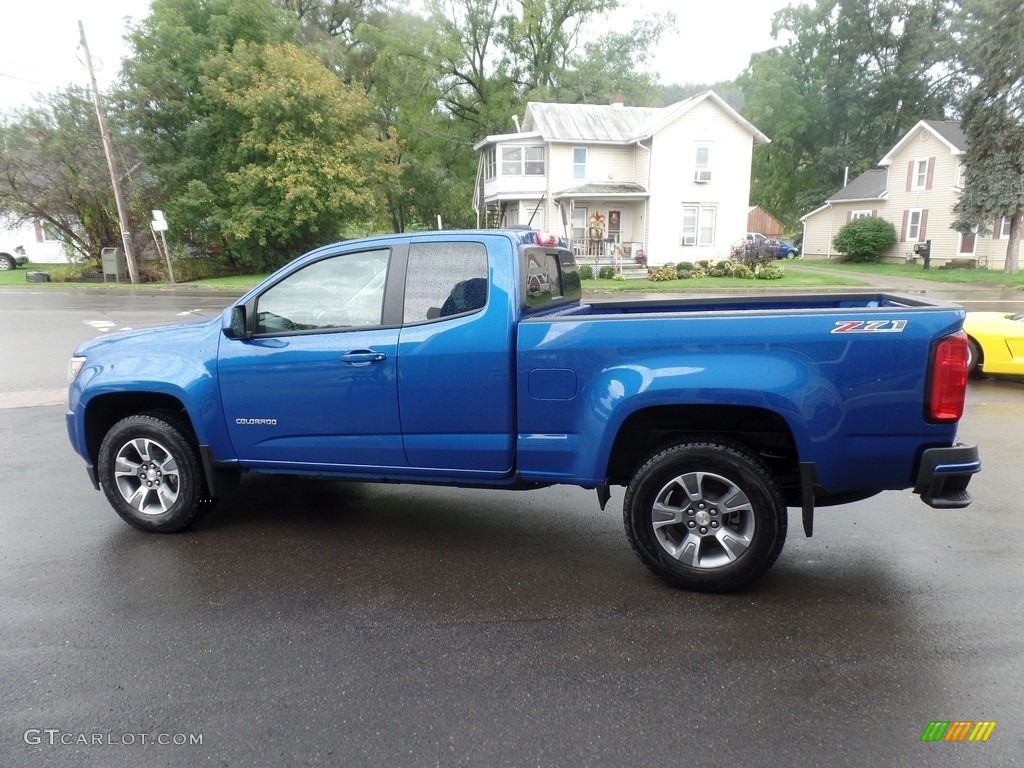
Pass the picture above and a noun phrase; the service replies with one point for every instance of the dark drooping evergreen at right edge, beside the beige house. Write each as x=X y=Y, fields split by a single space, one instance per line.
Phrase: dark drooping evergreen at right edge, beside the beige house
x=994 y=126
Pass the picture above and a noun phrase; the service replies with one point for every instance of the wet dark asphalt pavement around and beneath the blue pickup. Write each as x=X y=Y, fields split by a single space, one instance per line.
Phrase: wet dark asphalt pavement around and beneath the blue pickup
x=320 y=623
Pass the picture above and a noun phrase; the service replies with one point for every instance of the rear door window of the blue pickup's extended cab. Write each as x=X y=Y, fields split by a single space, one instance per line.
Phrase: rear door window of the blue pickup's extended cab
x=445 y=280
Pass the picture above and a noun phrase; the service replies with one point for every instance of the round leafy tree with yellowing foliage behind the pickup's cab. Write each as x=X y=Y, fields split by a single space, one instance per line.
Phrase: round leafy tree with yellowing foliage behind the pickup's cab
x=303 y=161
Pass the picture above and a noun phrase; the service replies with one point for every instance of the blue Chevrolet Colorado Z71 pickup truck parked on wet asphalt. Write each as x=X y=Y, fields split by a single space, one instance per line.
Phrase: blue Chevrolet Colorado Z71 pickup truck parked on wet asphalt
x=470 y=359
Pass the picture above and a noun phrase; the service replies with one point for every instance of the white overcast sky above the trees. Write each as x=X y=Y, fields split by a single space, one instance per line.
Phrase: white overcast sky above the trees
x=39 y=40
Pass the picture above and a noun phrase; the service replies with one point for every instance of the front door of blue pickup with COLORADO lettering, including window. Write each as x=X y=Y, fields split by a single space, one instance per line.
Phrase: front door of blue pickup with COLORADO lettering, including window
x=318 y=382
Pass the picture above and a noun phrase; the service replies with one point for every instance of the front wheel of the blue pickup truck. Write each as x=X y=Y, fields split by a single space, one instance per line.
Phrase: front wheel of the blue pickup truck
x=151 y=473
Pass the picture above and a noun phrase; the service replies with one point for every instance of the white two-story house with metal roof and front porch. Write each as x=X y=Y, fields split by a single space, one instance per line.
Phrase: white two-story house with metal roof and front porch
x=618 y=182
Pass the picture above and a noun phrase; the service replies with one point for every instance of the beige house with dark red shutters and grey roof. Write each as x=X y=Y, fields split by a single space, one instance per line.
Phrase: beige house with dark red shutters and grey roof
x=916 y=189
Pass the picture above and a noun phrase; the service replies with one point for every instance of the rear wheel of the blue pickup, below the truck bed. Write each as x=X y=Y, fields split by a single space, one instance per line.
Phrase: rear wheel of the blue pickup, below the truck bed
x=706 y=516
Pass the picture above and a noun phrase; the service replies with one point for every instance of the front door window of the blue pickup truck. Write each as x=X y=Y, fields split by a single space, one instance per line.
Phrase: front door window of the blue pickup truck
x=340 y=292
